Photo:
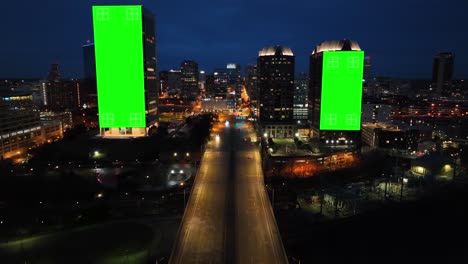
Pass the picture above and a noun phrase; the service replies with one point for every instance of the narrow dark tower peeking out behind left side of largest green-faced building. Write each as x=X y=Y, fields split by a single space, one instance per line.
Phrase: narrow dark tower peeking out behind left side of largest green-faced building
x=89 y=87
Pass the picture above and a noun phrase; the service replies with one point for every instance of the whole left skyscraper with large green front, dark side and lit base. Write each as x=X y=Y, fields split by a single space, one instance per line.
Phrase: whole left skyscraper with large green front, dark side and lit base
x=125 y=50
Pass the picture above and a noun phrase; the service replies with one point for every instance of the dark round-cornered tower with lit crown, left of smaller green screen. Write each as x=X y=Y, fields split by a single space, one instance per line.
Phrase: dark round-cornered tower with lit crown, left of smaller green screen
x=275 y=66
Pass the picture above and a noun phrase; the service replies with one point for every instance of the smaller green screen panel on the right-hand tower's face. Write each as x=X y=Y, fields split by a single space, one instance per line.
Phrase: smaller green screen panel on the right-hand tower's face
x=340 y=107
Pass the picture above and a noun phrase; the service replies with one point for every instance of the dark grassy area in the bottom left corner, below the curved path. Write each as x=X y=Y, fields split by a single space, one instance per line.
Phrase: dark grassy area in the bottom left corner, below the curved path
x=108 y=243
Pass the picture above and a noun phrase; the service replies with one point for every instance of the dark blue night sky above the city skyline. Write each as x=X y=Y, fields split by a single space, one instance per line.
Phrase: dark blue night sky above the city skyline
x=401 y=36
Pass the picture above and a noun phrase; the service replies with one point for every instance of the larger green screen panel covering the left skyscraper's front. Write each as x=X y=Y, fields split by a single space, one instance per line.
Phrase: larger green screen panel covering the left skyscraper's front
x=118 y=43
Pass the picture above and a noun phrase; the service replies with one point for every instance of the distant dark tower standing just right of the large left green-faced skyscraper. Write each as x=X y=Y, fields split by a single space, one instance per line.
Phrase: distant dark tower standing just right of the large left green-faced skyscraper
x=189 y=79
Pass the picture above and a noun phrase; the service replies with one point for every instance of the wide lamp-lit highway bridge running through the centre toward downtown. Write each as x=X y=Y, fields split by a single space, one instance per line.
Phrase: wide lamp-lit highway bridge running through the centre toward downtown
x=228 y=218
